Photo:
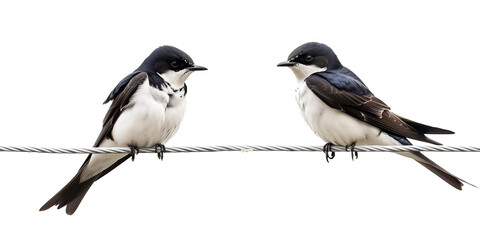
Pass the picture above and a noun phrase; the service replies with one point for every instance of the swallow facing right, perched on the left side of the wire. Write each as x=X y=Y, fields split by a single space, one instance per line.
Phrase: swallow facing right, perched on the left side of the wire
x=147 y=108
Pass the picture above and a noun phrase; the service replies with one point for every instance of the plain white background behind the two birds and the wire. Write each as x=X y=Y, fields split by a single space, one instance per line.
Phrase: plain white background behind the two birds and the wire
x=60 y=60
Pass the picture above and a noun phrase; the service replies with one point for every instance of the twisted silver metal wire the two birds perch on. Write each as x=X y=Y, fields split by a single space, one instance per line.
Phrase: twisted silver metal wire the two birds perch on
x=243 y=148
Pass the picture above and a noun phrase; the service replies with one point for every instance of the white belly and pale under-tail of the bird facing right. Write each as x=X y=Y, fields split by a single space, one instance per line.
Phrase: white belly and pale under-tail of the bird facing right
x=147 y=122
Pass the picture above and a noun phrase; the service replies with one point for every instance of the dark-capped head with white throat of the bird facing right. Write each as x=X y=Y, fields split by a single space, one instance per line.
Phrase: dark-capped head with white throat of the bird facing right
x=170 y=63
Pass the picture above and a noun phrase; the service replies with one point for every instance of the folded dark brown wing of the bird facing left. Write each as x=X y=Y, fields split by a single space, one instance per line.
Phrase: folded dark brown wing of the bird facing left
x=367 y=108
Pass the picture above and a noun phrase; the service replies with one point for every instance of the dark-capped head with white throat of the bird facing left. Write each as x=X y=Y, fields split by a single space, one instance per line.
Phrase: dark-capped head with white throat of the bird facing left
x=310 y=58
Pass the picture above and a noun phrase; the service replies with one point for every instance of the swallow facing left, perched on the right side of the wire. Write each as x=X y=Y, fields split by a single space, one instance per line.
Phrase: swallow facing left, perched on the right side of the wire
x=341 y=110
